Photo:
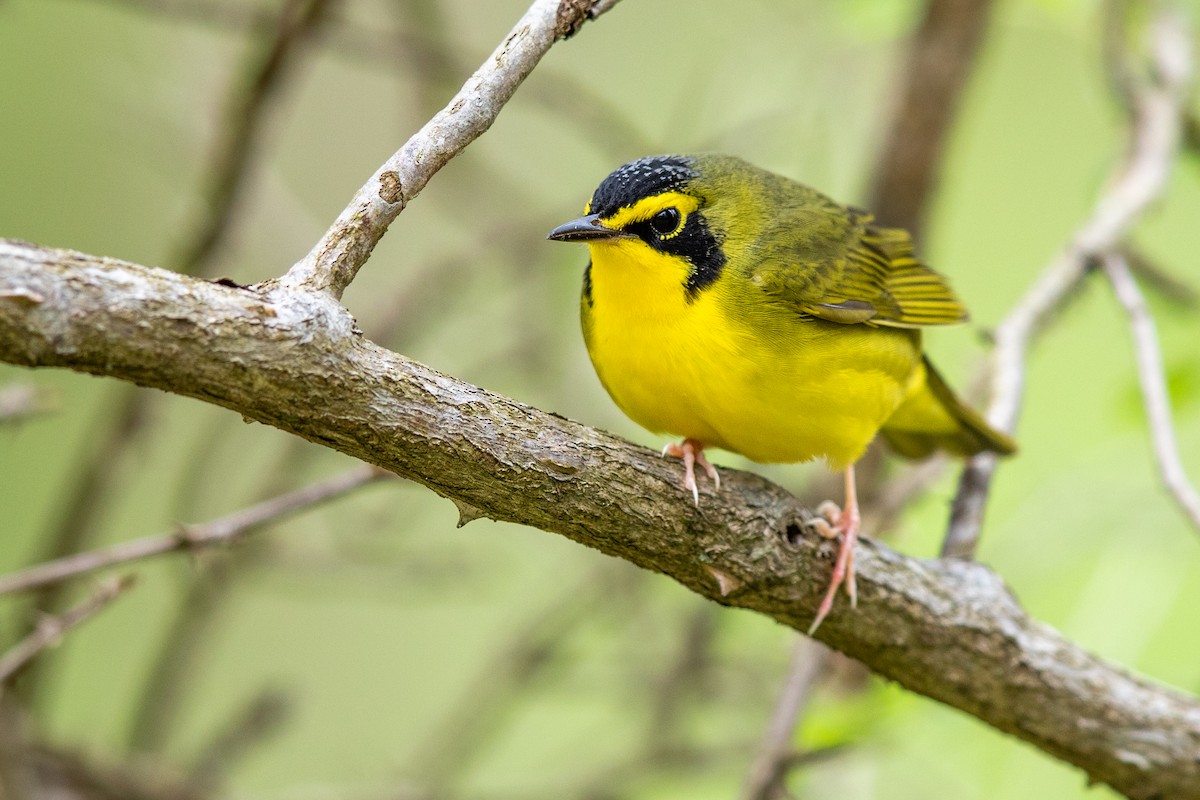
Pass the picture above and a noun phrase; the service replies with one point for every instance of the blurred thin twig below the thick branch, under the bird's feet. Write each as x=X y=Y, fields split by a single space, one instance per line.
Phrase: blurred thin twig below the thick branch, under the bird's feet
x=776 y=755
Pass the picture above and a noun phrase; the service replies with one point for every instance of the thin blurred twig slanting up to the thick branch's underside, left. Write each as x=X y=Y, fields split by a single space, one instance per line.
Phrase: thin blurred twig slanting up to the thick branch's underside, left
x=189 y=538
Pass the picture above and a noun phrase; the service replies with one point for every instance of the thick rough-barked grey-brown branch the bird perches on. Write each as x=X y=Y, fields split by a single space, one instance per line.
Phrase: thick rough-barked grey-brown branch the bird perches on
x=293 y=360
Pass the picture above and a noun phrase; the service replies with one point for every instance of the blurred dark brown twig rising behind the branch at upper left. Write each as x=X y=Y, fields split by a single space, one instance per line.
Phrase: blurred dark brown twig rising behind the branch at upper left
x=243 y=127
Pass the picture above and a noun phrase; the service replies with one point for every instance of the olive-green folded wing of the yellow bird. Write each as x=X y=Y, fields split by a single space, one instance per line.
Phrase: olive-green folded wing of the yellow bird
x=841 y=268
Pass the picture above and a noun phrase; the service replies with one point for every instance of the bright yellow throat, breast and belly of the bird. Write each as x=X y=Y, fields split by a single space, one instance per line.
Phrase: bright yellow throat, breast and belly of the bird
x=737 y=372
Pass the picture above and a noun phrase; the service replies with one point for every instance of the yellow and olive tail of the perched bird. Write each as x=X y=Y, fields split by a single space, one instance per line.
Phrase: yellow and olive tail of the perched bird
x=932 y=418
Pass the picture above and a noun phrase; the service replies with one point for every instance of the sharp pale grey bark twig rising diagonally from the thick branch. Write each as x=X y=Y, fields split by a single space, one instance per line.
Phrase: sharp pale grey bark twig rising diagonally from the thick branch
x=332 y=266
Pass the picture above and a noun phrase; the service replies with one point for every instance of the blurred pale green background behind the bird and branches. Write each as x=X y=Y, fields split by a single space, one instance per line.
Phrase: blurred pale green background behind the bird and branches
x=495 y=661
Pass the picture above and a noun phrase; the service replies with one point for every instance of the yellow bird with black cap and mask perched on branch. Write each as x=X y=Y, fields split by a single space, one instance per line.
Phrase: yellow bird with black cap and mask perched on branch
x=740 y=310
